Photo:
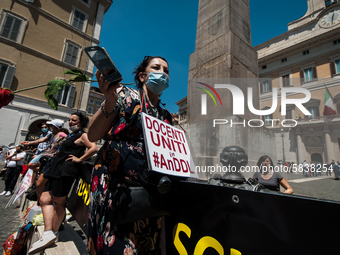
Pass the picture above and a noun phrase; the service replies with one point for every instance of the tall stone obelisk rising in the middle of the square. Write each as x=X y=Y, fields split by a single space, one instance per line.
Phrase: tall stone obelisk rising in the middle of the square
x=223 y=54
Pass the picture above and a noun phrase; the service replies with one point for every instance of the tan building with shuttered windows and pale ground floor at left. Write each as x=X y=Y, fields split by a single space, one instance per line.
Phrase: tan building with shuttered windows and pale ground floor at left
x=39 y=40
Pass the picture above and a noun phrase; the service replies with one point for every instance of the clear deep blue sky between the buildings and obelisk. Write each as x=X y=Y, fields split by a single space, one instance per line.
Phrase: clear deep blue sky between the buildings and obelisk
x=133 y=29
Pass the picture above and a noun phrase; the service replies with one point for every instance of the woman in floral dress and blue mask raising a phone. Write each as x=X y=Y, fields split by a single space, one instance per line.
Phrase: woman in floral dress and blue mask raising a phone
x=122 y=157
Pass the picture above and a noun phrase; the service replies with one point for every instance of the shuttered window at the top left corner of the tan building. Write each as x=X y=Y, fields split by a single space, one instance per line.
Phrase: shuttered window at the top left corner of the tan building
x=12 y=26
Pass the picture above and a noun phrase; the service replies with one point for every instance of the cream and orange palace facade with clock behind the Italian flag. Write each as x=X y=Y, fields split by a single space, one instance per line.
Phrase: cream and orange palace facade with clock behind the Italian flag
x=306 y=56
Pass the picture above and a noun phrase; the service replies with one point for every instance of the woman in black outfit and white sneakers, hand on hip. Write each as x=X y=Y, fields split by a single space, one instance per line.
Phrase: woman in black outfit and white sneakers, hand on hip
x=62 y=172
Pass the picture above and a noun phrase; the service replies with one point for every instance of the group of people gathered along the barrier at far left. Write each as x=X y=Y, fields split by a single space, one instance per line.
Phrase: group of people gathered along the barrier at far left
x=55 y=165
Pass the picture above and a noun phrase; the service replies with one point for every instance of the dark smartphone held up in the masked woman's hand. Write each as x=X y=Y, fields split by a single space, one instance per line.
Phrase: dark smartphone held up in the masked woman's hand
x=103 y=62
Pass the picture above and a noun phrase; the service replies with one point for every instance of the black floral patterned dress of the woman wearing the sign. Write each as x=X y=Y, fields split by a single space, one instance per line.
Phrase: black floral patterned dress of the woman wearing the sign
x=120 y=159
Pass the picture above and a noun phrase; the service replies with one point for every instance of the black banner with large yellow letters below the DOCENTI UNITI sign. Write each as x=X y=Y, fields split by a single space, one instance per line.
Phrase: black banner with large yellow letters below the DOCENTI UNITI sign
x=224 y=220
